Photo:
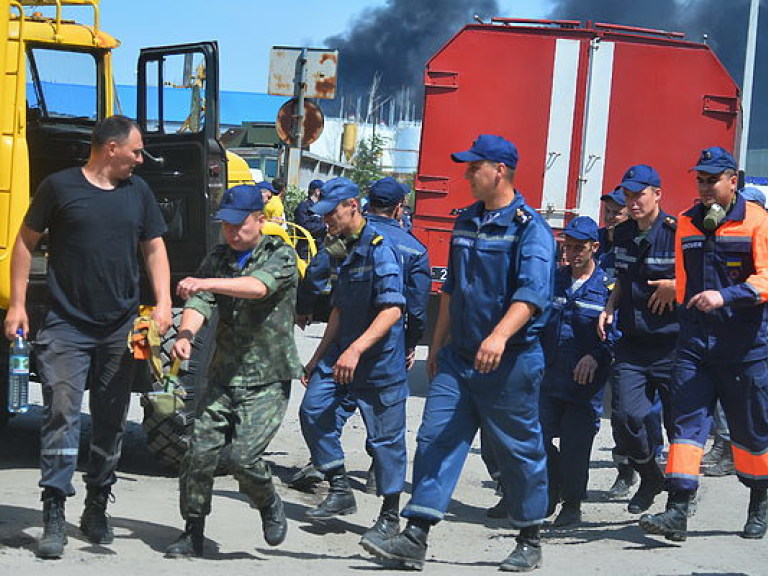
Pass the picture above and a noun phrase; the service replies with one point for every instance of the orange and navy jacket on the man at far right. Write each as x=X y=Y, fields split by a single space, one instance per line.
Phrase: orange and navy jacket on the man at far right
x=732 y=259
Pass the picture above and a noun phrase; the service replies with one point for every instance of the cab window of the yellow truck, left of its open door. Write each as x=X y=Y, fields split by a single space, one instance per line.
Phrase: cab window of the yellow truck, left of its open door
x=62 y=84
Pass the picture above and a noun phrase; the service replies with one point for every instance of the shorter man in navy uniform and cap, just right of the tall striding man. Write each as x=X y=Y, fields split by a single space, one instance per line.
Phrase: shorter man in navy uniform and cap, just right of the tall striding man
x=577 y=363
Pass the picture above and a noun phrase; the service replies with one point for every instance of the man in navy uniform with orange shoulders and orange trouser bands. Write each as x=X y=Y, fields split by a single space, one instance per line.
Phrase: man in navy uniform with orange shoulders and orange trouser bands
x=722 y=353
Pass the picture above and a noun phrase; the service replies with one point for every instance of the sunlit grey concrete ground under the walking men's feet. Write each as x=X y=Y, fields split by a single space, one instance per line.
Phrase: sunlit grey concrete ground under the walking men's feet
x=145 y=516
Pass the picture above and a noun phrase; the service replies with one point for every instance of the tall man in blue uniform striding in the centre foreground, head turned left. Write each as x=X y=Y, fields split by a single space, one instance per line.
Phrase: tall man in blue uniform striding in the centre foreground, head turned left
x=486 y=361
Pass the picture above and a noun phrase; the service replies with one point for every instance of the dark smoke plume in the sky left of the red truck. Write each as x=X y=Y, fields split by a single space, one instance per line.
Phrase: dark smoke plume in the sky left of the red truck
x=395 y=41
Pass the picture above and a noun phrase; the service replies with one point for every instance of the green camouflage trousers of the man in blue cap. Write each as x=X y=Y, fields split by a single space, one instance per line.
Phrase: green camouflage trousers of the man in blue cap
x=251 y=416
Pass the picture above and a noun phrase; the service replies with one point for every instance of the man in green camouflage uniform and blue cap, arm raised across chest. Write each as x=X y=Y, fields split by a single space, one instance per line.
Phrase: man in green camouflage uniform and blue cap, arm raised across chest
x=251 y=280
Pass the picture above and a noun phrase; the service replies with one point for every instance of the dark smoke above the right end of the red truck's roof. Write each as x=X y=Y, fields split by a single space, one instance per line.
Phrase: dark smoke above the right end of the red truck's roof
x=724 y=22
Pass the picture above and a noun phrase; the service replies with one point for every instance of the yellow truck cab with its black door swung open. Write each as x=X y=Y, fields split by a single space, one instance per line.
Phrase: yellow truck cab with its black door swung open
x=57 y=82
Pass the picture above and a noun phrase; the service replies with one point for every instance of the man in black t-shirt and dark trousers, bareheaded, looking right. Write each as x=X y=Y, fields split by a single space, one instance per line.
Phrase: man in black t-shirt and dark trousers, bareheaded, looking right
x=97 y=217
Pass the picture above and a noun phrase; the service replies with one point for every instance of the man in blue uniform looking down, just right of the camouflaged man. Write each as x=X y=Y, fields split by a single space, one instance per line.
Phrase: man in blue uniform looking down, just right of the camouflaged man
x=361 y=357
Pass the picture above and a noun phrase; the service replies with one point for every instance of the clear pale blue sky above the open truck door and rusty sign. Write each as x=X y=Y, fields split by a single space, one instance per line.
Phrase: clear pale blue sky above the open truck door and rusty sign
x=245 y=29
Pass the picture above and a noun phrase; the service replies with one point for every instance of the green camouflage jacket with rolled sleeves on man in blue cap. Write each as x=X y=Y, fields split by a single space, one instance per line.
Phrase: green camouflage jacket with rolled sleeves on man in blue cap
x=254 y=337
